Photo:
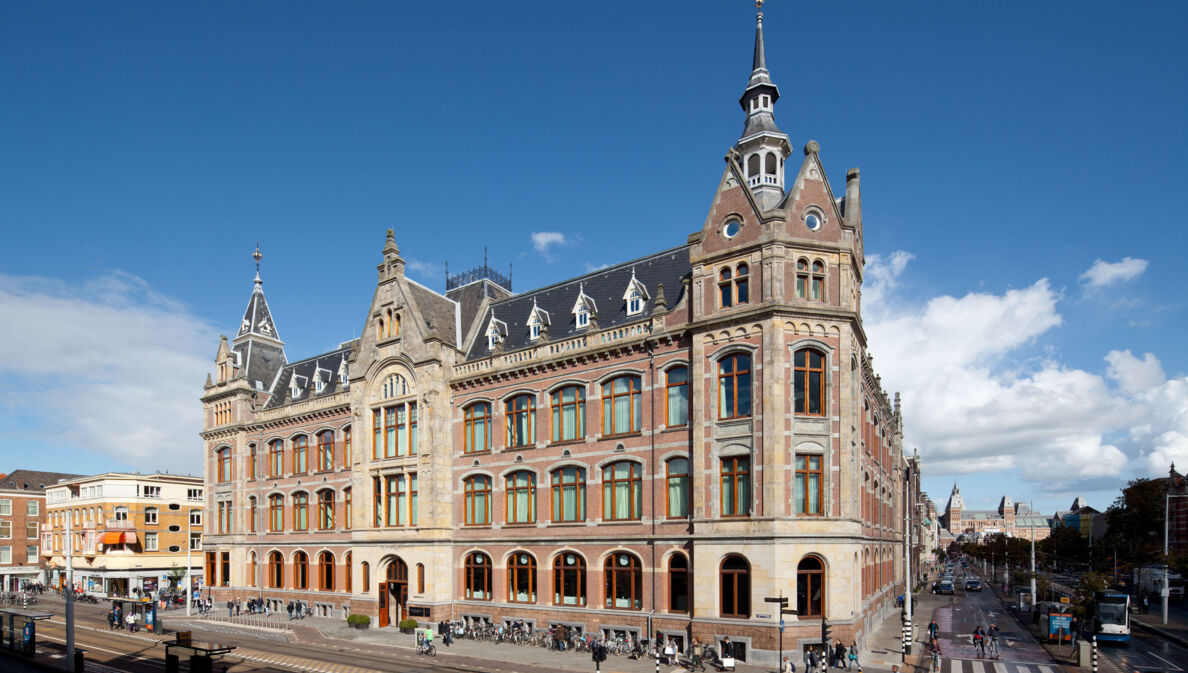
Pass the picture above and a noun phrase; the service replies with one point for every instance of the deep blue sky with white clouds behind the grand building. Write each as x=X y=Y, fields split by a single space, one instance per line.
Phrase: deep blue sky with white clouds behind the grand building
x=1022 y=171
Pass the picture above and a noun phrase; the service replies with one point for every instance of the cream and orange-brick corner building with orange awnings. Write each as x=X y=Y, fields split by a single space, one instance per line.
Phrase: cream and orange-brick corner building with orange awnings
x=129 y=534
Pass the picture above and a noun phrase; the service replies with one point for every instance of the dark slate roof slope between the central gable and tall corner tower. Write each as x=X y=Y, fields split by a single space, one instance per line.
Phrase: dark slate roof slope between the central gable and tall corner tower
x=606 y=287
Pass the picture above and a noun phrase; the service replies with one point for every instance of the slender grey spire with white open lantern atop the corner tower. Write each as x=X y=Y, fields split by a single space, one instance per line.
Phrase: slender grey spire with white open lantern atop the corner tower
x=762 y=148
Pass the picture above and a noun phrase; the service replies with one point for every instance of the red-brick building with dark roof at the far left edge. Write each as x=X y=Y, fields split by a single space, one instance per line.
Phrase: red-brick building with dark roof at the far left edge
x=22 y=515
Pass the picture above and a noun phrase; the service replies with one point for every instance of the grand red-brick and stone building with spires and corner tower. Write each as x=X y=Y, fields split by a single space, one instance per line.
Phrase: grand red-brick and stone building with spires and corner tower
x=653 y=448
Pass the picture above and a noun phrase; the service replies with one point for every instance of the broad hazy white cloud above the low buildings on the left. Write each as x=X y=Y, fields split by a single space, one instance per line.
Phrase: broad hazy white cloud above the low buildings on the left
x=108 y=367
